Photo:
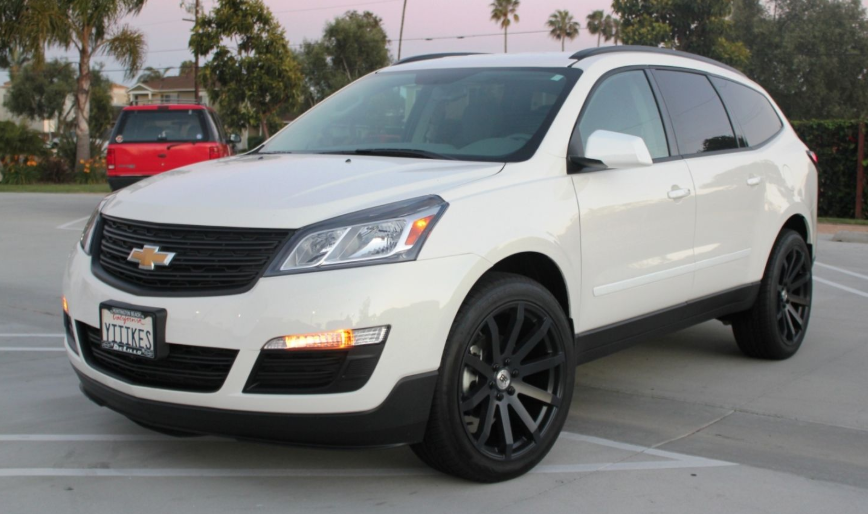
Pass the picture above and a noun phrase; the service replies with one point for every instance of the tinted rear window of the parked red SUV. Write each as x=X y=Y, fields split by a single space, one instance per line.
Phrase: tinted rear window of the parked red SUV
x=161 y=126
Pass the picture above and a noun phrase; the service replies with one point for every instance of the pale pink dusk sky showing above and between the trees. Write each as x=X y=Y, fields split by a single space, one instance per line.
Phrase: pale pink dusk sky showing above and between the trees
x=167 y=34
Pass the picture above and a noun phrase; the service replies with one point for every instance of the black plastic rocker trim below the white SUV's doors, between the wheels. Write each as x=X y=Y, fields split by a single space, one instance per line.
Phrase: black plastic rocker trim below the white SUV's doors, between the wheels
x=600 y=342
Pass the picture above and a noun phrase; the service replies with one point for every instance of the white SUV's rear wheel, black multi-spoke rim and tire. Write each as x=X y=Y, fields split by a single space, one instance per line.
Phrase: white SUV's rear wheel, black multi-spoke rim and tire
x=775 y=326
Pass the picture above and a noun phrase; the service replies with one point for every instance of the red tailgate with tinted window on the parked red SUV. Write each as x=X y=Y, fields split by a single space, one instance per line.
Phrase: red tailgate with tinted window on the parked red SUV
x=152 y=141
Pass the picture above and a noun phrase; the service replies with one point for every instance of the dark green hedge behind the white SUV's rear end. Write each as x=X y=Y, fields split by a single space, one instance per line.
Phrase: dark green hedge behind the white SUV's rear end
x=835 y=143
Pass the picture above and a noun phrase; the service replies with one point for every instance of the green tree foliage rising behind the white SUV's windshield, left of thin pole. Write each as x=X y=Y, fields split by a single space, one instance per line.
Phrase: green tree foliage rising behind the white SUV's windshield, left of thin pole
x=352 y=46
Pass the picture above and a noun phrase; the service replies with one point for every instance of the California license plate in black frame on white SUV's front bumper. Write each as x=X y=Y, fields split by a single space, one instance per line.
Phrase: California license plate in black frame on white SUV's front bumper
x=129 y=330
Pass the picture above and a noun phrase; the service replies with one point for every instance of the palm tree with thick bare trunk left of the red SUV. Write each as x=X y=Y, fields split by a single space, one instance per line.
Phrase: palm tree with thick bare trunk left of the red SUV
x=93 y=27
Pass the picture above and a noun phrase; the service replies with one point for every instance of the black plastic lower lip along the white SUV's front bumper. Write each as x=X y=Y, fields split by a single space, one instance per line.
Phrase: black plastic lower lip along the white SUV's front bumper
x=400 y=419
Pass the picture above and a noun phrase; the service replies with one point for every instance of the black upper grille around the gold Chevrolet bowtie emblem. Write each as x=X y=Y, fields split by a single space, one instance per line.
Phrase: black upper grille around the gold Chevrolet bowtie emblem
x=207 y=260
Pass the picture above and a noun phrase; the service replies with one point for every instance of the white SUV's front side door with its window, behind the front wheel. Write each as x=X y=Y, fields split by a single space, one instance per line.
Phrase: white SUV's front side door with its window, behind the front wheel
x=637 y=224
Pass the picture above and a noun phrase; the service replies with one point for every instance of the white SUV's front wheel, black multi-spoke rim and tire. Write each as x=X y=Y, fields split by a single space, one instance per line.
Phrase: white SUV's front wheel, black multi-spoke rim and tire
x=526 y=378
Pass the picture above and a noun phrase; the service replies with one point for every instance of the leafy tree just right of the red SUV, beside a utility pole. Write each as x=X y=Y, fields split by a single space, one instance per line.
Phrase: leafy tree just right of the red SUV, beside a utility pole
x=252 y=74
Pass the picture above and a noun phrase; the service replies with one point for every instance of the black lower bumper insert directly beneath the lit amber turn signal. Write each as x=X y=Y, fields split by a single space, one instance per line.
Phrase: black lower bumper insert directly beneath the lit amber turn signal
x=318 y=372
